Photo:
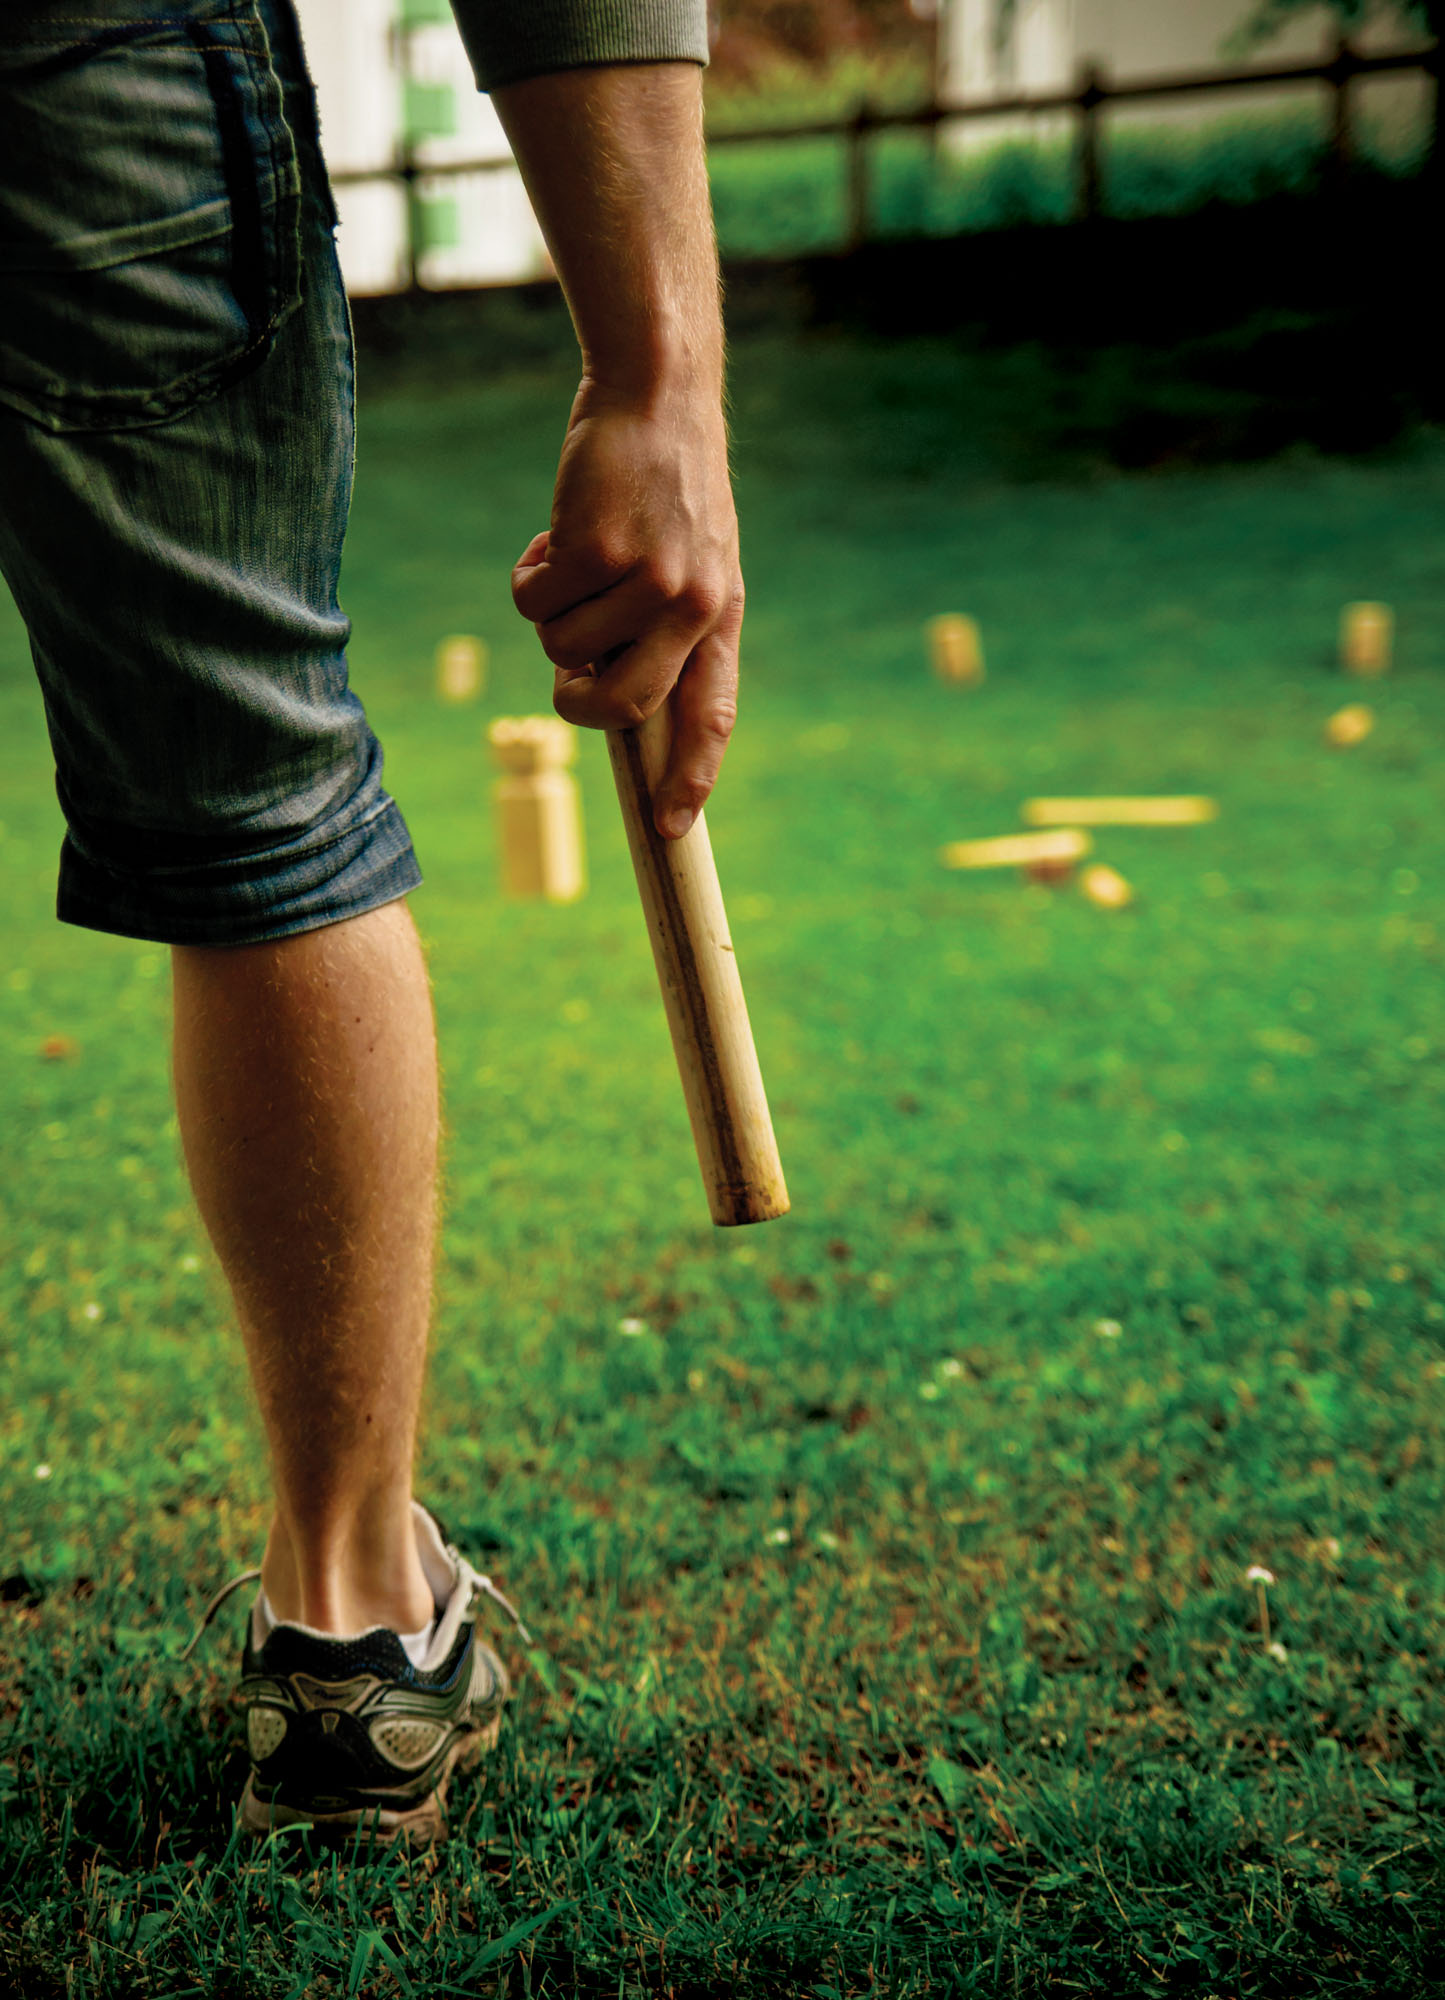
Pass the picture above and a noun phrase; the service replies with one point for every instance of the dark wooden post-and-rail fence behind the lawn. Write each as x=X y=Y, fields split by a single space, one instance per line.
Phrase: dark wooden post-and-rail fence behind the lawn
x=1094 y=93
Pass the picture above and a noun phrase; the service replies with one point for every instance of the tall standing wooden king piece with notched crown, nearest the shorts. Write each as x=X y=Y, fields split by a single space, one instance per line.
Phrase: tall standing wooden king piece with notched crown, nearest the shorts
x=539 y=815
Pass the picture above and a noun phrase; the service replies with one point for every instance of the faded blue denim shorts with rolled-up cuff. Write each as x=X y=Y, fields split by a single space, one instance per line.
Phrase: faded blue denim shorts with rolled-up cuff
x=175 y=471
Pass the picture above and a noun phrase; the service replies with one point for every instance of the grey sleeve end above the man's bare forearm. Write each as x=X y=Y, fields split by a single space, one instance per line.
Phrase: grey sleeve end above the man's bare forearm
x=511 y=41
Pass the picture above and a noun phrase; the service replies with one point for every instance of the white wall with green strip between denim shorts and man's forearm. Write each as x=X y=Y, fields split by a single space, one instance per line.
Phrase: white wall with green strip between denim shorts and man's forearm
x=477 y=229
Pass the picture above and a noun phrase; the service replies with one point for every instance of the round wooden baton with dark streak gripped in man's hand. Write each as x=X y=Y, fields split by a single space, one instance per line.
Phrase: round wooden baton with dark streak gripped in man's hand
x=701 y=991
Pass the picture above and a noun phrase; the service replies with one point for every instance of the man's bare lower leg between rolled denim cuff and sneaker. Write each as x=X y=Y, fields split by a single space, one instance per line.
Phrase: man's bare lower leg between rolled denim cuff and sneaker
x=307 y=1095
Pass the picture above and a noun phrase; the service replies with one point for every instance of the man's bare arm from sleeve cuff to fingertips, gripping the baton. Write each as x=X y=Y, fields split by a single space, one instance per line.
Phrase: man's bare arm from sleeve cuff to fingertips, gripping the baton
x=635 y=591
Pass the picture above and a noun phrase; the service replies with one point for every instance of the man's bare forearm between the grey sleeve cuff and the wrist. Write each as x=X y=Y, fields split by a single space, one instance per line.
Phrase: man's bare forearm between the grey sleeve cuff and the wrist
x=615 y=167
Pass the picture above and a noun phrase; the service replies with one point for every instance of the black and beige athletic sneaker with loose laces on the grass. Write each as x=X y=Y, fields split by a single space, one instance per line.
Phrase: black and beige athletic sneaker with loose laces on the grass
x=351 y=1733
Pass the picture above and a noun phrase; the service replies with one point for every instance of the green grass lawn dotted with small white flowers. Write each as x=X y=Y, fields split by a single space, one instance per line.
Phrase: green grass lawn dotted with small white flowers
x=888 y=1565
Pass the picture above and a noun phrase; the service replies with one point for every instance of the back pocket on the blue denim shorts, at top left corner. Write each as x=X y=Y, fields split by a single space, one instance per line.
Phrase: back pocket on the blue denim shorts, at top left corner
x=149 y=215
